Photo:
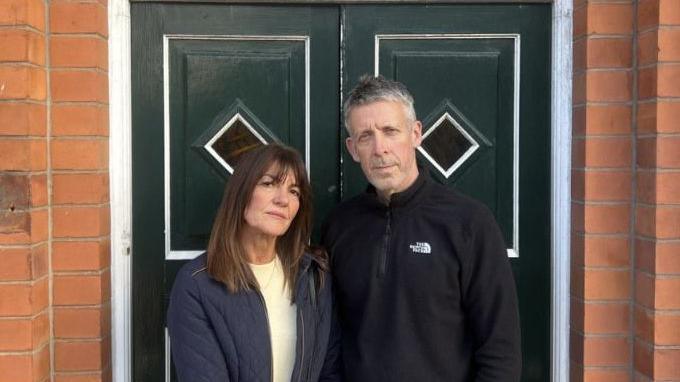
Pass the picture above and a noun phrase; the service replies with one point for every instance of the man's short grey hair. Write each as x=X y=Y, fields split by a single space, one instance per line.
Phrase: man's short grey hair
x=372 y=89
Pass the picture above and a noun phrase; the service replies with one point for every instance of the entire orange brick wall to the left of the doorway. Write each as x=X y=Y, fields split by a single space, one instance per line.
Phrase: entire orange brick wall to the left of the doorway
x=54 y=211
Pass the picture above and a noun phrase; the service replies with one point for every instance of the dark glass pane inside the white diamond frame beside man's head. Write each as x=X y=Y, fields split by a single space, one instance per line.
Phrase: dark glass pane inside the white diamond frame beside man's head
x=446 y=144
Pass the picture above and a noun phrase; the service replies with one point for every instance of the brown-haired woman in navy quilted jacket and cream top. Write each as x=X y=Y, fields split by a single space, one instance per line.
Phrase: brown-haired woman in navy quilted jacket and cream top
x=257 y=306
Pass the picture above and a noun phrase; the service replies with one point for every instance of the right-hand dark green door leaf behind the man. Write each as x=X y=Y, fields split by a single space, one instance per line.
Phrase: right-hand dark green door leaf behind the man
x=487 y=68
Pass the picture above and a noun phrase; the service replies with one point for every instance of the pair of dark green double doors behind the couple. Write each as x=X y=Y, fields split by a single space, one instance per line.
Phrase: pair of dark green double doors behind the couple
x=211 y=81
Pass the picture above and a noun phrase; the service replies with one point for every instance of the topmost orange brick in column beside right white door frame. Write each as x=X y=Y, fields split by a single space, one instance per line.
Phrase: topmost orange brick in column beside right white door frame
x=610 y=18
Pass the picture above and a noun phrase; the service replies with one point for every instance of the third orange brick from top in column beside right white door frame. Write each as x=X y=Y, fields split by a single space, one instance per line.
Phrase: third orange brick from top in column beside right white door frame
x=609 y=86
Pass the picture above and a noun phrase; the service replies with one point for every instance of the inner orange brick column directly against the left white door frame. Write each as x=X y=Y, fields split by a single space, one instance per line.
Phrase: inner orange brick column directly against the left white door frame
x=80 y=197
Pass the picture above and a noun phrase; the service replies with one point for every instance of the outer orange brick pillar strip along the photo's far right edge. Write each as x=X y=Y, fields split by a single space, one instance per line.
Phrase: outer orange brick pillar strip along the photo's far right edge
x=657 y=230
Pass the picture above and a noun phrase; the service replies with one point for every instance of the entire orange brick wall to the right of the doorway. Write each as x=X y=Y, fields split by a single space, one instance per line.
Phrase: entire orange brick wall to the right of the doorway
x=625 y=321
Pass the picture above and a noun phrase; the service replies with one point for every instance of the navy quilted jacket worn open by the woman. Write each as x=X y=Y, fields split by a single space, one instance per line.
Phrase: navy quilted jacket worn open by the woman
x=219 y=336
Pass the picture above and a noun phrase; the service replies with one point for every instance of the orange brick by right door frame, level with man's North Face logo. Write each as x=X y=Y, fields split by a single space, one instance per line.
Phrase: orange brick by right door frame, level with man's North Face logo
x=606 y=251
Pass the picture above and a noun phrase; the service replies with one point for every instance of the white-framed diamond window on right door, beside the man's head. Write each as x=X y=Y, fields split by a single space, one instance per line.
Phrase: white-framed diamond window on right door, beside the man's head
x=447 y=145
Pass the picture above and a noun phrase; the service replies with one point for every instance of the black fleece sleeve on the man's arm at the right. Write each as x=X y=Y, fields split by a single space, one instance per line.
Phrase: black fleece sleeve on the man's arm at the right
x=490 y=303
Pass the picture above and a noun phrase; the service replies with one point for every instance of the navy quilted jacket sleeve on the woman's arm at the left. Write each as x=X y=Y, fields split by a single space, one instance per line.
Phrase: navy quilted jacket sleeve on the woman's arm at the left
x=194 y=347
